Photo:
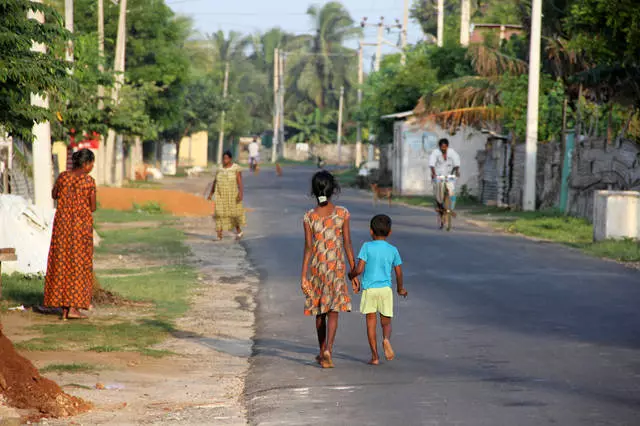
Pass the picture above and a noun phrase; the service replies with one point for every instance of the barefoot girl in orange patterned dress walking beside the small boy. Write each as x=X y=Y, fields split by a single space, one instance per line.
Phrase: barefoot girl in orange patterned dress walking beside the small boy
x=326 y=233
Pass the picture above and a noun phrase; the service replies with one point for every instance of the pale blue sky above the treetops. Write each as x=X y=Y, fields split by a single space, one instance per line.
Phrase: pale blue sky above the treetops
x=249 y=16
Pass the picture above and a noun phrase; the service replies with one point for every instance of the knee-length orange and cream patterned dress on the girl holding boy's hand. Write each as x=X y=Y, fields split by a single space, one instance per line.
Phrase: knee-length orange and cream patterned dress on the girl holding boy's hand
x=328 y=272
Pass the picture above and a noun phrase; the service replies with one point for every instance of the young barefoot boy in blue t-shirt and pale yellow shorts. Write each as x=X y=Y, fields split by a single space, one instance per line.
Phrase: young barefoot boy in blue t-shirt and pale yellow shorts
x=376 y=259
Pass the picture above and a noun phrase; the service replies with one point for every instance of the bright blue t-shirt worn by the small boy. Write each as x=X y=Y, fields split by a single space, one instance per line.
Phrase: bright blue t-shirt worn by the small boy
x=380 y=258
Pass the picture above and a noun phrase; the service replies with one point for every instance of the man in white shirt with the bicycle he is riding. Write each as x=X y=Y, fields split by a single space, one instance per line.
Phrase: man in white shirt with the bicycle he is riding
x=444 y=161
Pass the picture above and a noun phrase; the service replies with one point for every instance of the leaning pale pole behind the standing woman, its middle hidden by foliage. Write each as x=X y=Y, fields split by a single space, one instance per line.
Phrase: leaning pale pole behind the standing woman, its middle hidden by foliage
x=118 y=68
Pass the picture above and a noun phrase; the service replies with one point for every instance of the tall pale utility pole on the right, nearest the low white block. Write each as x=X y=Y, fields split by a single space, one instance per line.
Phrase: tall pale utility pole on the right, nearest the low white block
x=529 y=200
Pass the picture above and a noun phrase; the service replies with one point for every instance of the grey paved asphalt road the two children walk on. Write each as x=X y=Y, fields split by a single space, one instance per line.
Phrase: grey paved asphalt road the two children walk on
x=497 y=330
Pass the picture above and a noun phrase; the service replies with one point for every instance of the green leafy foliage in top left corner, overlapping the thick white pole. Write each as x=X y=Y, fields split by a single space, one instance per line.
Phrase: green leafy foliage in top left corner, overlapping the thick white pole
x=23 y=72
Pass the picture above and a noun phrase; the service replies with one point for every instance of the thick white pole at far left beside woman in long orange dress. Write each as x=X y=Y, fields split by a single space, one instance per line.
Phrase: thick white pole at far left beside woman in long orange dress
x=42 y=164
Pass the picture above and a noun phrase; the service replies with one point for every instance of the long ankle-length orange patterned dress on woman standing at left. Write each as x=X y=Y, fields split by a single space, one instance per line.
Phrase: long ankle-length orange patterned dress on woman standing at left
x=69 y=280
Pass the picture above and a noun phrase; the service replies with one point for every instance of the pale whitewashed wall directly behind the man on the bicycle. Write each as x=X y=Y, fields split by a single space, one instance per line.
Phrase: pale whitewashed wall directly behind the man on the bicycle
x=412 y=147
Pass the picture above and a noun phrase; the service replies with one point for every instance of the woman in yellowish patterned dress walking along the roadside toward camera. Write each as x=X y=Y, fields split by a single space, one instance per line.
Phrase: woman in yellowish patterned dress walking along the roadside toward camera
x=229 y=192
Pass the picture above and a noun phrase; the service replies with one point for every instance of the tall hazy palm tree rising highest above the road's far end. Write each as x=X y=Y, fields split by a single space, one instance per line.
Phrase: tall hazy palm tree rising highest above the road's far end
x=324 y=63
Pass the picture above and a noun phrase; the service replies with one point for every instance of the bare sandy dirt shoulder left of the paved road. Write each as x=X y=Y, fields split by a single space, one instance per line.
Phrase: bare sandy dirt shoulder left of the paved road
x=197 y=373
